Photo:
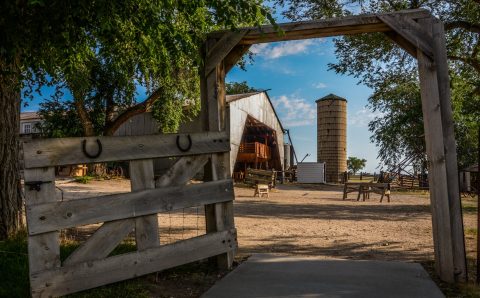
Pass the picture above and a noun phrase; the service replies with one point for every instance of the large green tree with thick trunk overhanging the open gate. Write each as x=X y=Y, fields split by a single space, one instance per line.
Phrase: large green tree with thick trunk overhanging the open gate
x=67 y=43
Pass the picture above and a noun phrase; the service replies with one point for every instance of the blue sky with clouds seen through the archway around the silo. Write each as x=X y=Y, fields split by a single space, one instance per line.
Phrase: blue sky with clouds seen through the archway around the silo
x=297 y=74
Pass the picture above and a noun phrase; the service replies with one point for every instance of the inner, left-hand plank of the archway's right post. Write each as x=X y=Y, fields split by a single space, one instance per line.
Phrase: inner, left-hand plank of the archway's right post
x=437 y=176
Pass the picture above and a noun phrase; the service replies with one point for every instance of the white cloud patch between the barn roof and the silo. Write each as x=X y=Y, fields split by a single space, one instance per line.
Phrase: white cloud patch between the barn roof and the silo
x=294 y=111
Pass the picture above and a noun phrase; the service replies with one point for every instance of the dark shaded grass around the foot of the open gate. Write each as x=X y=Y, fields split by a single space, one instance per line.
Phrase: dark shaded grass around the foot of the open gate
x=190 y=280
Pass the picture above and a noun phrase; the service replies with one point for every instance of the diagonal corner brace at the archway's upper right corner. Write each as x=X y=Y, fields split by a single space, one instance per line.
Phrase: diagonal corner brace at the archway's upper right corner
x=411 y=32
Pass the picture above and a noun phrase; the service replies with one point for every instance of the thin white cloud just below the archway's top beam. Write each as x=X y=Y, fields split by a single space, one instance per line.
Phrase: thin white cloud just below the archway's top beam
x=287 y=48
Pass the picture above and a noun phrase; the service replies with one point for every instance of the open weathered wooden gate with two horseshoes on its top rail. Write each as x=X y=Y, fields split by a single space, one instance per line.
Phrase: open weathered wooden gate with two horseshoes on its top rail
x=90 y=265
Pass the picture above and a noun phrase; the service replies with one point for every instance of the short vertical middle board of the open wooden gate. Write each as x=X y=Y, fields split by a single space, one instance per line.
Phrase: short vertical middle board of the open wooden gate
x=146 y=227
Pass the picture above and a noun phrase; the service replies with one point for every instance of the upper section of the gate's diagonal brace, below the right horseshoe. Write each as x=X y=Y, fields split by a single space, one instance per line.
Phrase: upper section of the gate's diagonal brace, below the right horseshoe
x=182 y=171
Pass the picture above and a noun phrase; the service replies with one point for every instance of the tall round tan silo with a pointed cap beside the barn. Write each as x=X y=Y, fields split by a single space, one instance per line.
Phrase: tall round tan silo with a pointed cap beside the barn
x=332 y=136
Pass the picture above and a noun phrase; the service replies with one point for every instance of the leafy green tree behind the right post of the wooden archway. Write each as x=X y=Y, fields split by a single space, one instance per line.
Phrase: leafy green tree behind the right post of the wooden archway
x=392 y=73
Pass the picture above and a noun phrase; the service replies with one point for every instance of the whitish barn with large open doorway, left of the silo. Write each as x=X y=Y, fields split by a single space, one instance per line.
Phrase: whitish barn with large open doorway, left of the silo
x=256 y=133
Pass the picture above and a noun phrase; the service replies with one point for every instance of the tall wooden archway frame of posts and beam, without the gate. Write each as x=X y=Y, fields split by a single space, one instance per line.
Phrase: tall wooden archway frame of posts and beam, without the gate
x=418 y=33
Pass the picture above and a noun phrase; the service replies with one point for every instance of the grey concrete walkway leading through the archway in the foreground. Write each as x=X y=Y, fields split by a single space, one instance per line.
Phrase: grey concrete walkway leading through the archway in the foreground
x=265 y=275
